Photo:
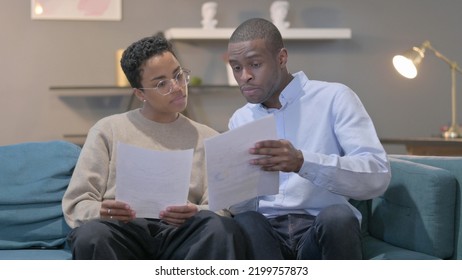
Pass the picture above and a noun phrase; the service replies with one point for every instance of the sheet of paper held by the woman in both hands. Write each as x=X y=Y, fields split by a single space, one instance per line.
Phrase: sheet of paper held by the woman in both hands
x=150 y=180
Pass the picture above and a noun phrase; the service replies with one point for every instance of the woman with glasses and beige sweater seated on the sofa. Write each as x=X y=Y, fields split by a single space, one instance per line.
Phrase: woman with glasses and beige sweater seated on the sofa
x=105 y=228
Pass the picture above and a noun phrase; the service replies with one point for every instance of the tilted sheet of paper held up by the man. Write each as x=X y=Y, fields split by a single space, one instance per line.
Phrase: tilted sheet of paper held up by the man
x=231 y=178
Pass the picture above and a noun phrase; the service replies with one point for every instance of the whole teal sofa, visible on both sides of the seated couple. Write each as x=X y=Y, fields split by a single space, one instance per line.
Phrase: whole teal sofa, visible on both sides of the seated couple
x=418 y=217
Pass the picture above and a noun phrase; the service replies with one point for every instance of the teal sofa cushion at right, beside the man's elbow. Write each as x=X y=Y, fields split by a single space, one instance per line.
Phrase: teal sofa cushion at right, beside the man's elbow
x=417 y=211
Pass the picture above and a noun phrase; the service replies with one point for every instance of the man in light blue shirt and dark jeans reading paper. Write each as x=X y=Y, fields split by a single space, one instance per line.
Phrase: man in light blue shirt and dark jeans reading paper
x=328 y=152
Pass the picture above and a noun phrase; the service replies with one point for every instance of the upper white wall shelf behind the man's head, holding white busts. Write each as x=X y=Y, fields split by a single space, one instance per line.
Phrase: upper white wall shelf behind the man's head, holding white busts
x=287 y=34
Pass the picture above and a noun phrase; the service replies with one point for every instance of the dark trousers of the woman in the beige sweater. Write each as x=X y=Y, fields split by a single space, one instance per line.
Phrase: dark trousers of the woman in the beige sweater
x=203 y=236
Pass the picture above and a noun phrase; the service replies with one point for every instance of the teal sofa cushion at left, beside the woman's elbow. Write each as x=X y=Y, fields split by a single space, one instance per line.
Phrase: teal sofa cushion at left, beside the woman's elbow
x=33 y=178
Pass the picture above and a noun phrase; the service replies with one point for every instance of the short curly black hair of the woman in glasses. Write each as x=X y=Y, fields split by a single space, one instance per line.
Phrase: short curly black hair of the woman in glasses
x=134 y=57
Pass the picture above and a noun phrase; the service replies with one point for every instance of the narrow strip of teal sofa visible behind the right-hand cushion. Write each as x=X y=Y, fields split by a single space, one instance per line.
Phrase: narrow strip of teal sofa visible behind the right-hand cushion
x=454 y=166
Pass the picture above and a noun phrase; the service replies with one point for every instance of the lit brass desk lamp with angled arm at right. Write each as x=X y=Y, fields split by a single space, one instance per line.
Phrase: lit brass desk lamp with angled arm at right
x=407 y=65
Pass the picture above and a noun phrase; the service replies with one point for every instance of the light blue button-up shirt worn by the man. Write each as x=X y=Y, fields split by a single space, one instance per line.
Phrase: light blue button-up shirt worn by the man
x=343 y=157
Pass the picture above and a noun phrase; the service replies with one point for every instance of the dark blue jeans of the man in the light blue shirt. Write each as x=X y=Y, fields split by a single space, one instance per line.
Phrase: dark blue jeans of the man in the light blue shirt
x=334 y=234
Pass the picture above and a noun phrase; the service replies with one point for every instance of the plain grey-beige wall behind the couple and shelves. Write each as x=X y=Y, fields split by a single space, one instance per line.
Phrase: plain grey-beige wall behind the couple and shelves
x=37 y=54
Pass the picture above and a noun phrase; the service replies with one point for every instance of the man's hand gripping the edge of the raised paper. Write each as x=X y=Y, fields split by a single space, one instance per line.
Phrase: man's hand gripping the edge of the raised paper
x=277 y=155
